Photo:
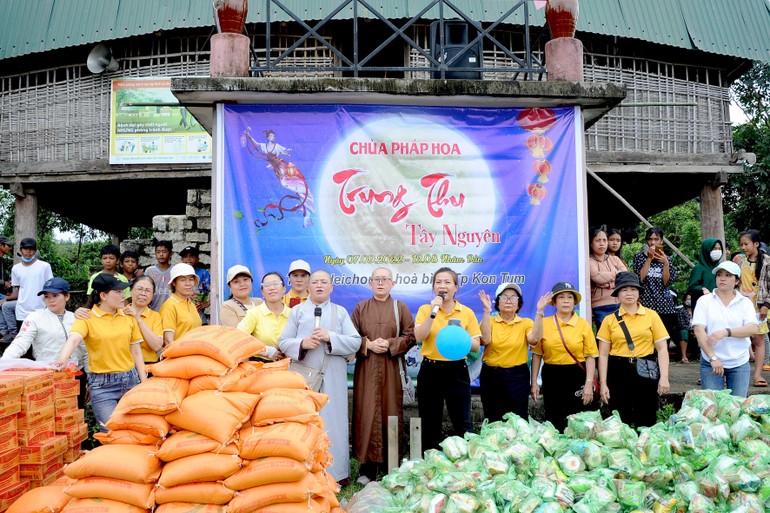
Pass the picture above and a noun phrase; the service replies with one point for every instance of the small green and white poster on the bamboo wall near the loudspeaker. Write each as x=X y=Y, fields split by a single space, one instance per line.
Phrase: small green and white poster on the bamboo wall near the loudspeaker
x=147 y=125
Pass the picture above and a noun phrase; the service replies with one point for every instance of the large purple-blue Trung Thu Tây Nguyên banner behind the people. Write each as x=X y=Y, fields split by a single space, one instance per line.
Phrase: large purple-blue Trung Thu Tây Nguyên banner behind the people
x=495 y=194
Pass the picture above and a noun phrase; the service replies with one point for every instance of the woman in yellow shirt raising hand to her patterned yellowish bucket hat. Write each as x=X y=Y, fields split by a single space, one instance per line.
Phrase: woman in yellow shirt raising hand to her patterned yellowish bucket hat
x=567 y=346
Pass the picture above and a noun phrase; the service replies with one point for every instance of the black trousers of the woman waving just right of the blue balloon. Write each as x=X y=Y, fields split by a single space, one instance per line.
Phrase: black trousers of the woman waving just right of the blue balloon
x=505 y=390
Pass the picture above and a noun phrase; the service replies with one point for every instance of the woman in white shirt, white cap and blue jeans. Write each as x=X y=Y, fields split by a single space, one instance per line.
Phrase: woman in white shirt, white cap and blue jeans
x=724 y=323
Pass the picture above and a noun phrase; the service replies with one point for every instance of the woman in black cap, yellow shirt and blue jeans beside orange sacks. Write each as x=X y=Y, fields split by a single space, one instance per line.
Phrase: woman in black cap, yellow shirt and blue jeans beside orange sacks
x=112 y=340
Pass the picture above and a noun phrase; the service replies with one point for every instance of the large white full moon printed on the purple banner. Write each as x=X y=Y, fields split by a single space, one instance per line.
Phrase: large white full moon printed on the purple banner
x=398 y=177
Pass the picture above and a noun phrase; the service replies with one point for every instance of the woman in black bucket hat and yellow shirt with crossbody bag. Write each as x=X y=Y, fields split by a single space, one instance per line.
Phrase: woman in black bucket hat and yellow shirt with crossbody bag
x=628 y=342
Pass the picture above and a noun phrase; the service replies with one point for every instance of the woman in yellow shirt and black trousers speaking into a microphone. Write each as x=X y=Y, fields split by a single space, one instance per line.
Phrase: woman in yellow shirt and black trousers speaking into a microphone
x=441 y=380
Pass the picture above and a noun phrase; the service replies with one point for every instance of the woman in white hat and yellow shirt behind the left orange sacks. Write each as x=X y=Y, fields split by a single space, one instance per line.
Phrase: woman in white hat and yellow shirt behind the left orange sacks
x=179 y=313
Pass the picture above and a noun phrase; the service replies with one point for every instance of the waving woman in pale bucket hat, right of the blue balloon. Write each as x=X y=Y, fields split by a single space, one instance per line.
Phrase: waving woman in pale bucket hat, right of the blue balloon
x=506 y=337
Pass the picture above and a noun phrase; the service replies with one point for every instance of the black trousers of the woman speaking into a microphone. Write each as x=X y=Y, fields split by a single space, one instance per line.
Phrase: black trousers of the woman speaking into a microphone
x=442 y=382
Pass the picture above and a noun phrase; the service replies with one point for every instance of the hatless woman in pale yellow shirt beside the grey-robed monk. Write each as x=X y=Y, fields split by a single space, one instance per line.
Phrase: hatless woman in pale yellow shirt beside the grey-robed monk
x=267 y=320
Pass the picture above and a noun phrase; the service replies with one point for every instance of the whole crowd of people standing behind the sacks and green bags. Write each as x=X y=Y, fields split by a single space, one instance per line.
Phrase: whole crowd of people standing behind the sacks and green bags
x=621 y=361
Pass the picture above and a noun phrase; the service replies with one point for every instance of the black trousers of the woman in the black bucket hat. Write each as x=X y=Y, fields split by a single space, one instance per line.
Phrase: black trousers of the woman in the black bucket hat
x=634 y=397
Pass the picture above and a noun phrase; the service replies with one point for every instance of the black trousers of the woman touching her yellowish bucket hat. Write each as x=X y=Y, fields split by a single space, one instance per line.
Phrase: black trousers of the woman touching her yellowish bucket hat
x=561 y=384
